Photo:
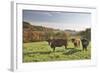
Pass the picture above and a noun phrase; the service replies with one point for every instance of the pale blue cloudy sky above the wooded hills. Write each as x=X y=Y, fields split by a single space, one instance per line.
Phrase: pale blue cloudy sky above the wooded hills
x=58 y=20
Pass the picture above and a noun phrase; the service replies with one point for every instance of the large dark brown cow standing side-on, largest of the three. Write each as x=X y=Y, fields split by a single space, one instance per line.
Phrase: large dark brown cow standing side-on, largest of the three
x=58 y=43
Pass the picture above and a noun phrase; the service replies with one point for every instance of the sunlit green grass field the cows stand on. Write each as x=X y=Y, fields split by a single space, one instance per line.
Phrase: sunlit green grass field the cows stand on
x=41 y=52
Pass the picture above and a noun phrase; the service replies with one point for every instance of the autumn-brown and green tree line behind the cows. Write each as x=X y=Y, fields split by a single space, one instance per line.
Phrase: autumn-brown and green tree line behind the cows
x=32 y=33
